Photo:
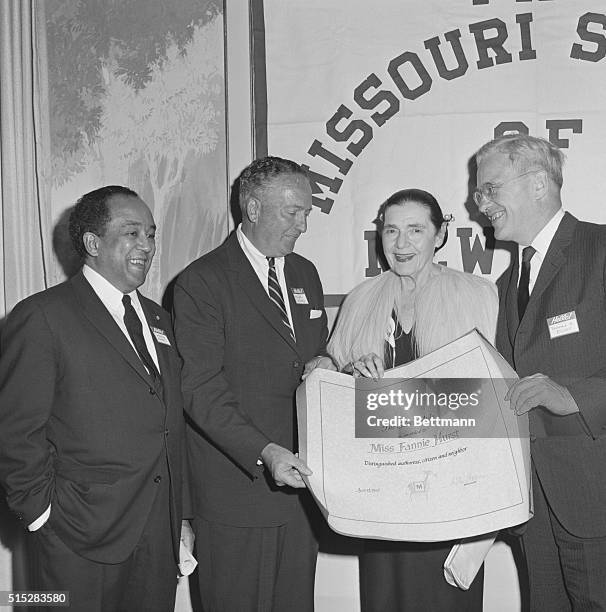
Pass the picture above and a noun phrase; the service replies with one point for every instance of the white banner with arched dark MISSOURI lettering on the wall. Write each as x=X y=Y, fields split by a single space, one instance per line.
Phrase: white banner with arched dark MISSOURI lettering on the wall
x=378 y=97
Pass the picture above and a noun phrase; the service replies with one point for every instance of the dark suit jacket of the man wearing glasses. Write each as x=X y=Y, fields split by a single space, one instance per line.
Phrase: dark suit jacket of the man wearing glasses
x=569 y=452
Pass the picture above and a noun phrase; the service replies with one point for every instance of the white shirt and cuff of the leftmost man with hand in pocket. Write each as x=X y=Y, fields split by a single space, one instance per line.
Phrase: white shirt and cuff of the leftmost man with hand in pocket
x=112 y=300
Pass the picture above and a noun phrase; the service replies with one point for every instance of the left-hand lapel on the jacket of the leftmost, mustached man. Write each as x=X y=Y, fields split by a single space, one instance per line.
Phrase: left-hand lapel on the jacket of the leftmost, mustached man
x=93 y=309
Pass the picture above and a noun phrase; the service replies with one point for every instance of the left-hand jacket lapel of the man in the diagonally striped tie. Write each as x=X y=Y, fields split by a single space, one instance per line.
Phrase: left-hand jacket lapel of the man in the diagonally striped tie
x=250 y=284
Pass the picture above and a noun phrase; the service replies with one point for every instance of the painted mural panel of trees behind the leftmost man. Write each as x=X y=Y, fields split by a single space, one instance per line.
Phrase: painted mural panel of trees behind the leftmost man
x=137 y=95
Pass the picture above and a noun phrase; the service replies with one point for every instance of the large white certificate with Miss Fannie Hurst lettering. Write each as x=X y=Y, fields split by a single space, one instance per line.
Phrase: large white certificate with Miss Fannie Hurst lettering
x=431 y=452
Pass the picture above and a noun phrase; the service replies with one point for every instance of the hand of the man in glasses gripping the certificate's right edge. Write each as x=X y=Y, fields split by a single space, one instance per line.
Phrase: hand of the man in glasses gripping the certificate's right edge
x=539 y=390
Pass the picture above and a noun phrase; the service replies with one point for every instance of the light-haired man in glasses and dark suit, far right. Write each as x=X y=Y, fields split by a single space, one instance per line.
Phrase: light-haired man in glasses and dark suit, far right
x=552 y=330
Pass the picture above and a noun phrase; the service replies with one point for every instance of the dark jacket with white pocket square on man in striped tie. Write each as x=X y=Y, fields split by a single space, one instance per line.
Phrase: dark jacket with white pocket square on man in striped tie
x=240 y=372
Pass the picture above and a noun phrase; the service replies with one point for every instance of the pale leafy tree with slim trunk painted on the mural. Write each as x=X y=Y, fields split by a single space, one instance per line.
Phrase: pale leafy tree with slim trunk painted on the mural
x=171 y=117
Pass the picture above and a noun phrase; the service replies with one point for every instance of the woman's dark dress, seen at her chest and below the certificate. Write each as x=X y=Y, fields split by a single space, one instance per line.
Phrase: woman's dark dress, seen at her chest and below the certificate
x=409 y=576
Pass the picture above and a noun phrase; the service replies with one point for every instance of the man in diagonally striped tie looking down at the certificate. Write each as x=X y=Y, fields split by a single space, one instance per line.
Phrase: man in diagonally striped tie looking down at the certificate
x=248 y=316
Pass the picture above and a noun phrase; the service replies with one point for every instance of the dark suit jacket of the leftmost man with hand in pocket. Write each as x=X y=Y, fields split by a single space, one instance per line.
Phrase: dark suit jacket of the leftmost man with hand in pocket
x=81 y=425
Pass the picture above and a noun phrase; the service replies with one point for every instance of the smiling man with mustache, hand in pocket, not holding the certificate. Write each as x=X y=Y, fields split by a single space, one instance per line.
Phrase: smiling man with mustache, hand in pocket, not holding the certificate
x=91 y=419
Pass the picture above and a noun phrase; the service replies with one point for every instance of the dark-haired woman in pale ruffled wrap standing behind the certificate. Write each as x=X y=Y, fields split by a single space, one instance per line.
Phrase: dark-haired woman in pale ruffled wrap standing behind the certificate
x=408 y=311
